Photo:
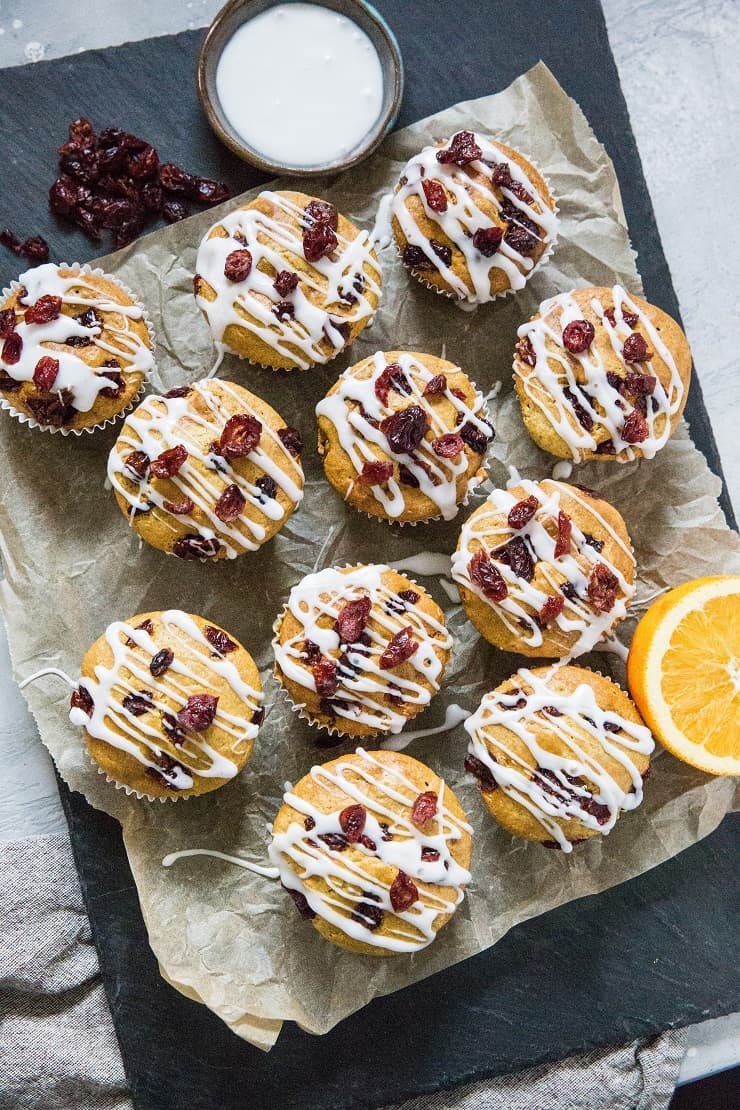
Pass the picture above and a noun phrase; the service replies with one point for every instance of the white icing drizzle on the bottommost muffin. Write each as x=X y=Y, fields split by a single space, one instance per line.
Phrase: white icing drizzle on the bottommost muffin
x=299 y=855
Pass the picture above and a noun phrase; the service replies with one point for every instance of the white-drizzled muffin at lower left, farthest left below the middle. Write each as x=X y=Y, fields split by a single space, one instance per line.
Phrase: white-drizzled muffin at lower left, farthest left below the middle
x=170 y=705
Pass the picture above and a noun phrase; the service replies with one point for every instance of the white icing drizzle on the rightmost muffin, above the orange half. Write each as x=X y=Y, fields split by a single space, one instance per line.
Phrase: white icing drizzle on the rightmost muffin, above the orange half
x=557 y=370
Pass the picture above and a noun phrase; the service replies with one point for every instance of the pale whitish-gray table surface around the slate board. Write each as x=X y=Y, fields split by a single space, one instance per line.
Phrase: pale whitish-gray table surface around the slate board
x=678 y=66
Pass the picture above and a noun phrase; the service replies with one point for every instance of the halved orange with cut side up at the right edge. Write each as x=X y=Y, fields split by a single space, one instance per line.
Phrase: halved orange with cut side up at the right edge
x=684 y=673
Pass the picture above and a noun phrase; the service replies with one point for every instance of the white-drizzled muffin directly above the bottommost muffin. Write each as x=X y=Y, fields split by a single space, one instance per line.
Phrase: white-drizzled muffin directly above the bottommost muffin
x=361 y=650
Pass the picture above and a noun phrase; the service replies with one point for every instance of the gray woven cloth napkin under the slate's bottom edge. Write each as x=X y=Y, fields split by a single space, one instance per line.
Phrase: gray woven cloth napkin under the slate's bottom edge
x=58 y=1048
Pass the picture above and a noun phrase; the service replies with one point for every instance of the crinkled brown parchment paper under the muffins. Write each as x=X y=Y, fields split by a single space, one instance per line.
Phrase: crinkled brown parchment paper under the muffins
x=224 y=935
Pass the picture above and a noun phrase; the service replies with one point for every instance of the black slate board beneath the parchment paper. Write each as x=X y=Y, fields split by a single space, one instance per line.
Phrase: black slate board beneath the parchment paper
x=662 y=951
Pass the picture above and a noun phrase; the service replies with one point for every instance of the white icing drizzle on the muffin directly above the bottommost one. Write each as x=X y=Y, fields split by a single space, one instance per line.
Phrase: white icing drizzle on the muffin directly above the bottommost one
x=363 y=683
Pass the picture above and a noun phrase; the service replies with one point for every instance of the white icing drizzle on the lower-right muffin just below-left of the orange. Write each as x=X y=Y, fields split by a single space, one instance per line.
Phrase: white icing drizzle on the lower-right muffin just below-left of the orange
x=553 y=799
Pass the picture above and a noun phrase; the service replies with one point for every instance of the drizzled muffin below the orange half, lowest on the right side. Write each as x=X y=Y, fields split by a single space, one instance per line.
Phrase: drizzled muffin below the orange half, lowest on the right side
x=560 y=753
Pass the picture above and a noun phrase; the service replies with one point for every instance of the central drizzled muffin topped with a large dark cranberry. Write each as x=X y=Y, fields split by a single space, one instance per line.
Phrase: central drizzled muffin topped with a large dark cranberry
x=403 y=437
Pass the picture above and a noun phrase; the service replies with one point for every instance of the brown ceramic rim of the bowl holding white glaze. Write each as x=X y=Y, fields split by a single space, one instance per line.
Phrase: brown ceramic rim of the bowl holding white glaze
x=230 y=138
